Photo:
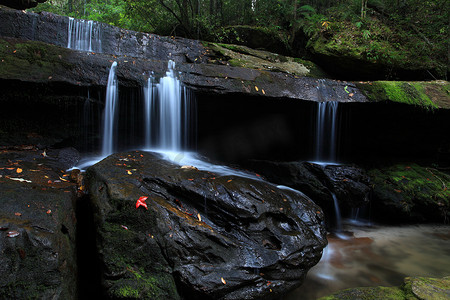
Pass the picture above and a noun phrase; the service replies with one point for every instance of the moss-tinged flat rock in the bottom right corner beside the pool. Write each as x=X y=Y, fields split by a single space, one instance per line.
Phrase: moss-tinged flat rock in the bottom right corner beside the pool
x=412 y=288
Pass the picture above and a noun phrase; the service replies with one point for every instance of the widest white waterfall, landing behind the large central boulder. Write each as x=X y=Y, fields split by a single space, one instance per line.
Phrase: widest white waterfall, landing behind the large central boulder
x=168 y=112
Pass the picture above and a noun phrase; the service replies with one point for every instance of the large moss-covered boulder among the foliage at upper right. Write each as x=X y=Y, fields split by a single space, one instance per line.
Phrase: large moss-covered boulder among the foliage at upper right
x=374 y=50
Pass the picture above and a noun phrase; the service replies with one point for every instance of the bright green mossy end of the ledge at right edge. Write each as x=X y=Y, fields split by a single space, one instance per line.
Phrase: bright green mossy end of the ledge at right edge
x=427 y=94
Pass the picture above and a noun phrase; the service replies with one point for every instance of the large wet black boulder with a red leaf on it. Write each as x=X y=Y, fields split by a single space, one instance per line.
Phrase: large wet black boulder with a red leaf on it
x=203 y=235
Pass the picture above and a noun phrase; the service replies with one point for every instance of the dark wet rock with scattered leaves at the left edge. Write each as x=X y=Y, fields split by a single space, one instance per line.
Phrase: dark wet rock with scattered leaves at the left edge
x=37 y=228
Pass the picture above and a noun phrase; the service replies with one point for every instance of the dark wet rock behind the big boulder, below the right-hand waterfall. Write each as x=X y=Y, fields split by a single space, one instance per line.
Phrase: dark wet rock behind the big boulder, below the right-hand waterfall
x=349 y=183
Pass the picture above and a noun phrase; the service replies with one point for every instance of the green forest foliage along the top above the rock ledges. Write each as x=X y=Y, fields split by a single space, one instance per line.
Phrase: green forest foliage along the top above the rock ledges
x=398 y=33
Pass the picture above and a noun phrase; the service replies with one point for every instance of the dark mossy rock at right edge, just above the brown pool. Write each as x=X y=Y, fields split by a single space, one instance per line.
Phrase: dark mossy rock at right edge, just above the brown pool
x=410 y=192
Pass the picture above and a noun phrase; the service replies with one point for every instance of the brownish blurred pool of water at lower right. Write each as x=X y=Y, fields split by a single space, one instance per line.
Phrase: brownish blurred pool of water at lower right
x=377 y=256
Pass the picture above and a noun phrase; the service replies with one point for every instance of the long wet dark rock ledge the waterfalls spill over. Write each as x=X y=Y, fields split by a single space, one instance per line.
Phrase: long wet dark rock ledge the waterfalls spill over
x=33 y=37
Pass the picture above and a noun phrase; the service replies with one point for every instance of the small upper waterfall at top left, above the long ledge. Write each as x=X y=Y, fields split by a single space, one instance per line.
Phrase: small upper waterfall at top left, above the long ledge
x=84 y=35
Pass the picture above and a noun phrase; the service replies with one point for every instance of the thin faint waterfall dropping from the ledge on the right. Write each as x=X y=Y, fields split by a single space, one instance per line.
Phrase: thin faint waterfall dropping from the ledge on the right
x=326 y=131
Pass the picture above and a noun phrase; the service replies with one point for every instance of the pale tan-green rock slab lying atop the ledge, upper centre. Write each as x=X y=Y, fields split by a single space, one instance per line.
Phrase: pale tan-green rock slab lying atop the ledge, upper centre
x=244 y=57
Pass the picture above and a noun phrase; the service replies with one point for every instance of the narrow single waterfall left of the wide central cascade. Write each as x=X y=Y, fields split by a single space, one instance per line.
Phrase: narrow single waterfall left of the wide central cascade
x=109 y=122
